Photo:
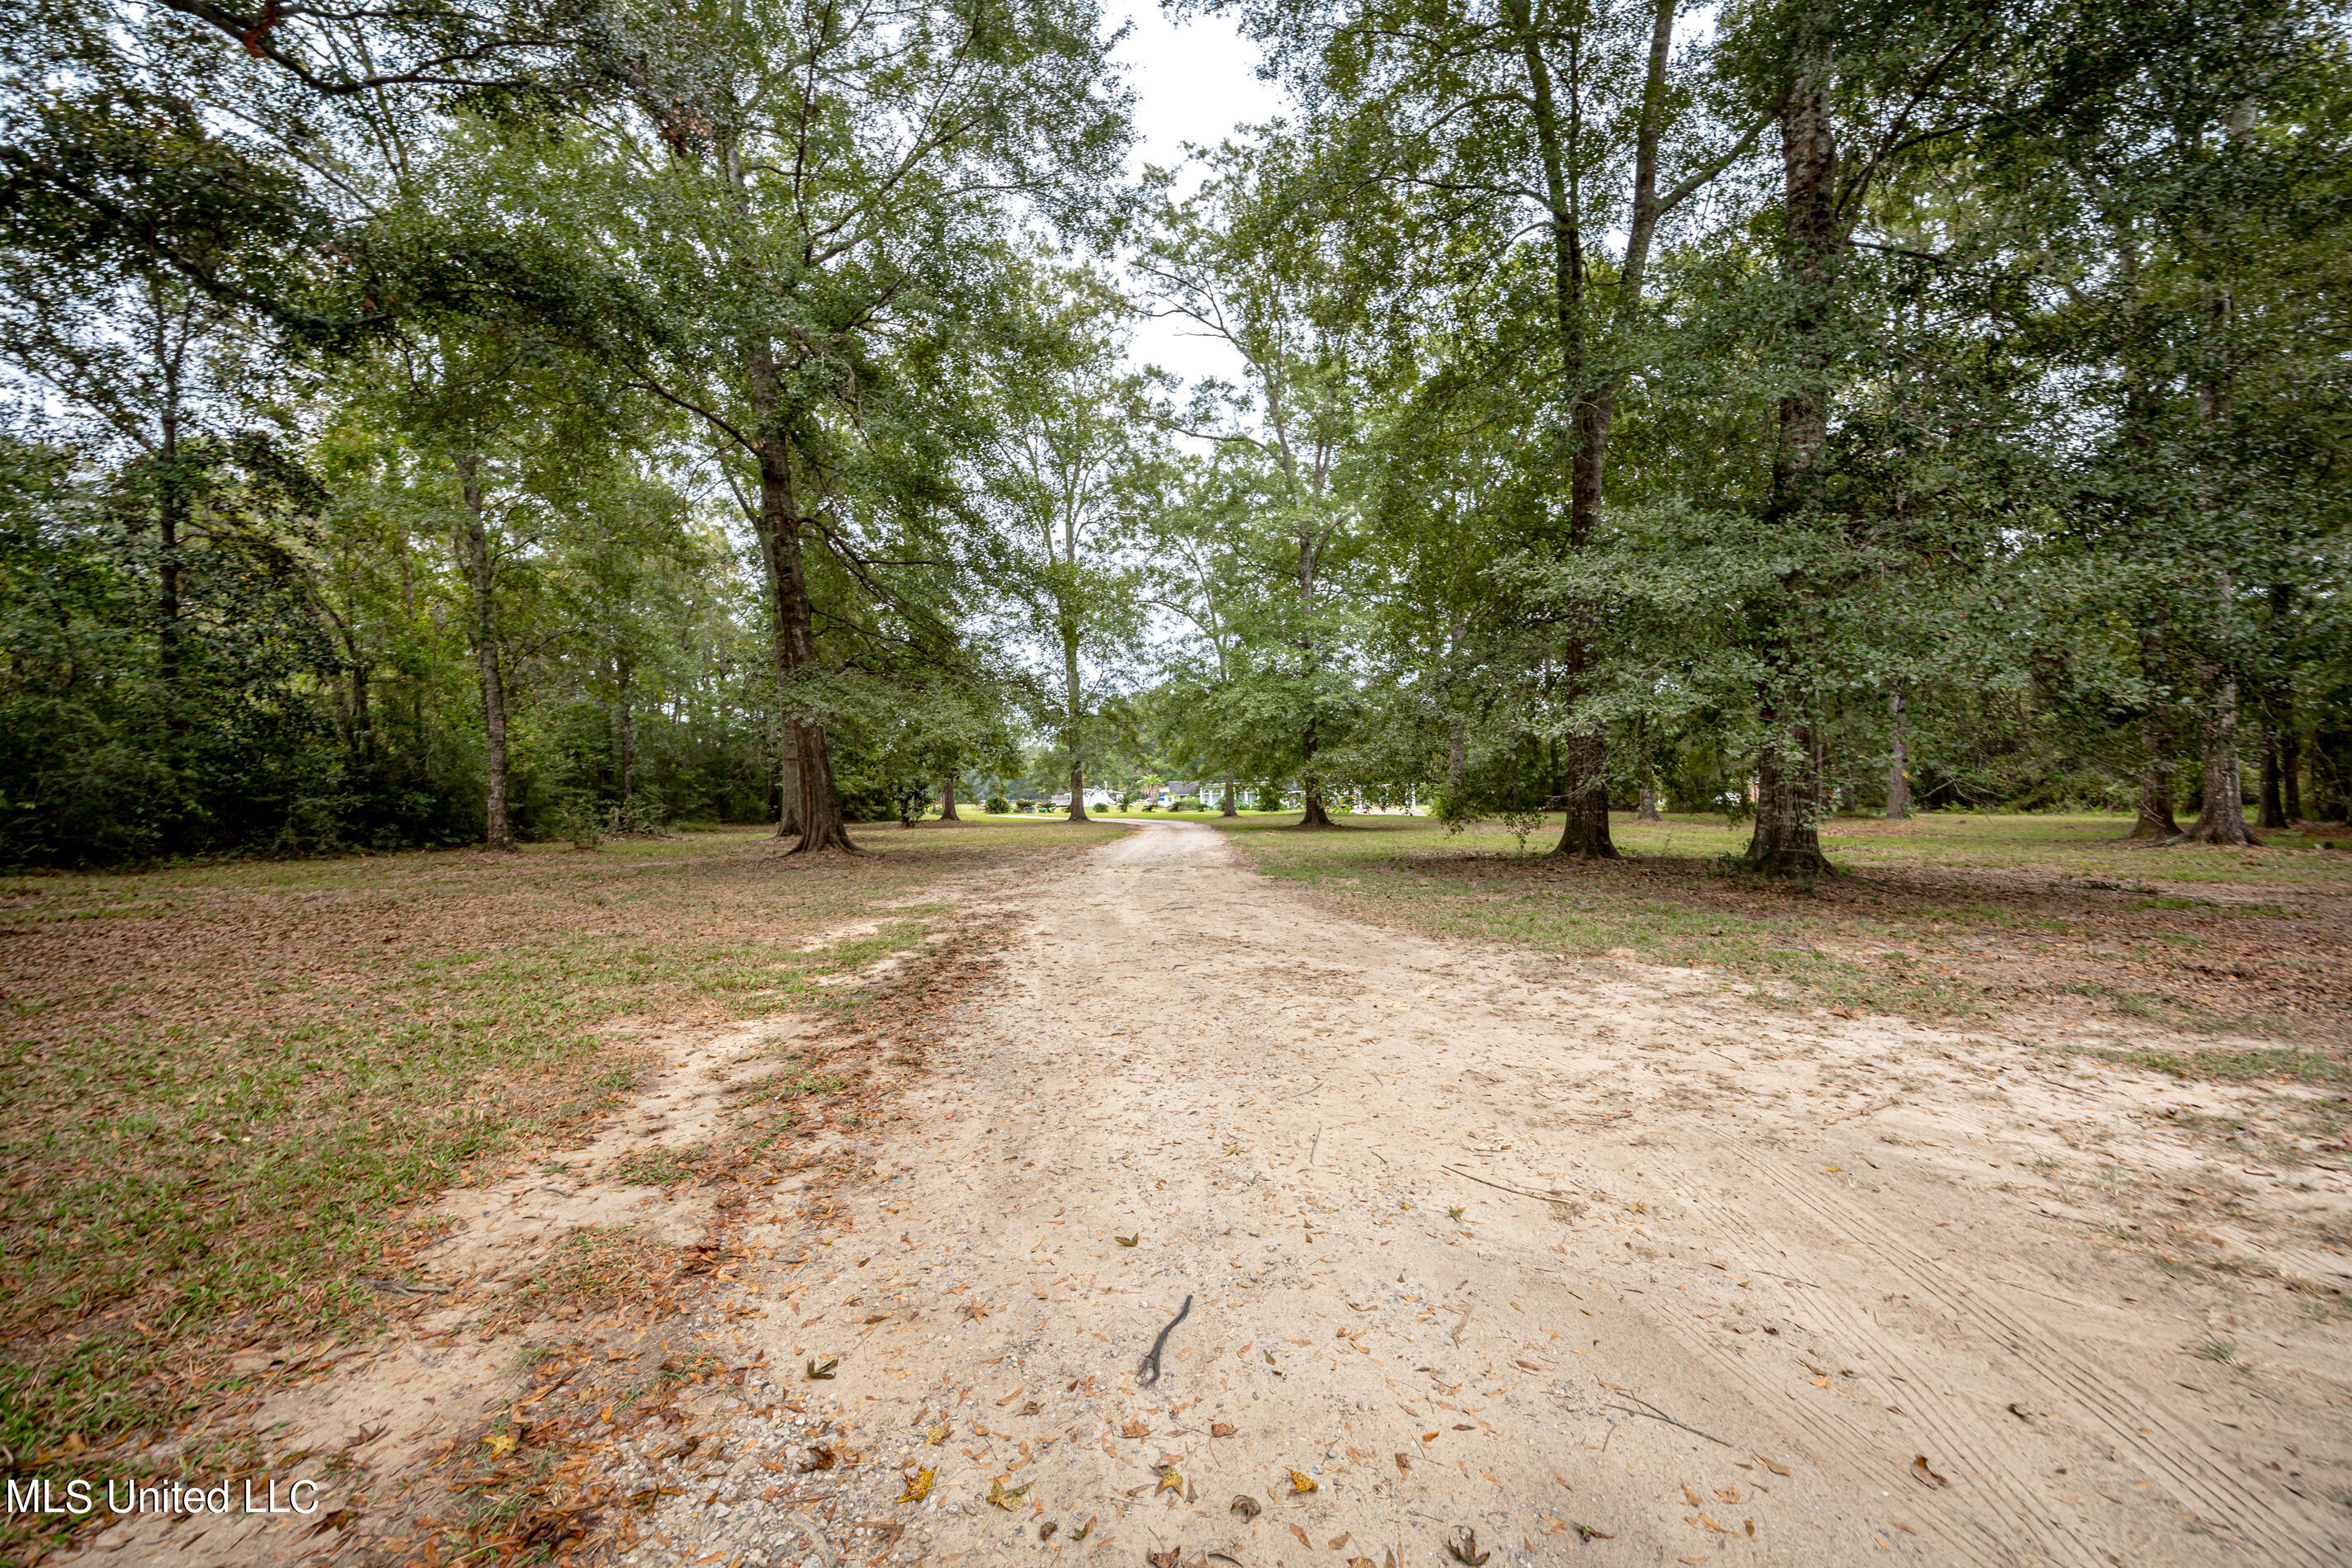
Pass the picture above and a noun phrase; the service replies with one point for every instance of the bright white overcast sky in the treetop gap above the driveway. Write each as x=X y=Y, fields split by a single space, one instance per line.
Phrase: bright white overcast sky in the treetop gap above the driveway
x=1194 y=83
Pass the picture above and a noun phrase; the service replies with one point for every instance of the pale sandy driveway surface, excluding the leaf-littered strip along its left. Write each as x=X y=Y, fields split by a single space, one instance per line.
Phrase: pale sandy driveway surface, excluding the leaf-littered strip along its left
x=1481 y=1247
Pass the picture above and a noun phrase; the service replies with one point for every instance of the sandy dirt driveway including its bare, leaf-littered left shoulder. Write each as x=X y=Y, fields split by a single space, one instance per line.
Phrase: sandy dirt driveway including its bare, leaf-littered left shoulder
x=1603 y=1264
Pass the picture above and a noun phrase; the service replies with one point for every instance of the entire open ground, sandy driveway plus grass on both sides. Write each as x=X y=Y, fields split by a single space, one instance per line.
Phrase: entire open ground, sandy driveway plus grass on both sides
x=1603 y=1233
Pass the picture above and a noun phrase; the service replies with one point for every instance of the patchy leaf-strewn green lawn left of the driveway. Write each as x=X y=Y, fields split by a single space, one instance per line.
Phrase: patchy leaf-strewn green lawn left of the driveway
x=227 y=1078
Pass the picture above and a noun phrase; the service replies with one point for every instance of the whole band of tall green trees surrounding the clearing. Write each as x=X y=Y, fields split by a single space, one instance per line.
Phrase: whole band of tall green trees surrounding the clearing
x=455 y=422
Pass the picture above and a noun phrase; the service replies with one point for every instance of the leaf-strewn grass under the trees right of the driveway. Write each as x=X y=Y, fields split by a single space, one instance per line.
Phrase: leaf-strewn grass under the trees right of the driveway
x=1963 y=918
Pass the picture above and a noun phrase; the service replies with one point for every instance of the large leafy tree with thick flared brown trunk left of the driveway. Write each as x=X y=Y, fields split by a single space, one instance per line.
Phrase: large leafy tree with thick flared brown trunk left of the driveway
x=813 y=203
